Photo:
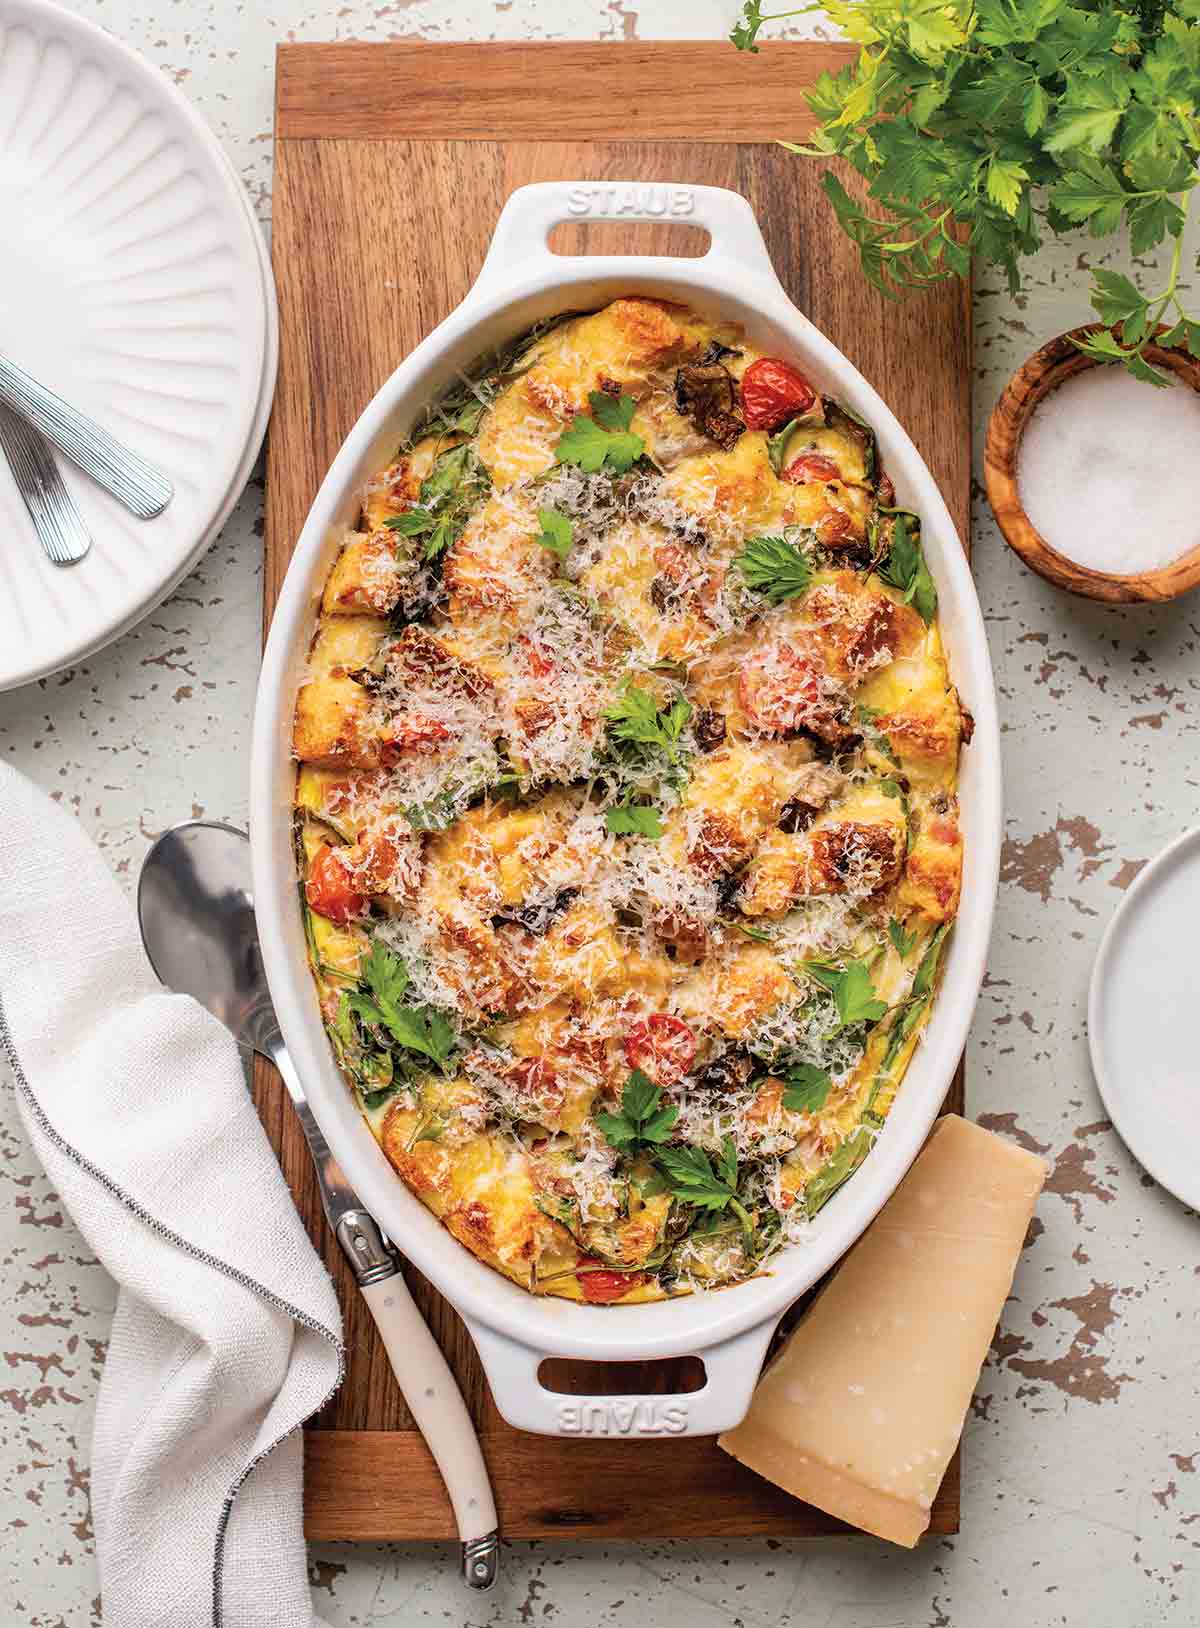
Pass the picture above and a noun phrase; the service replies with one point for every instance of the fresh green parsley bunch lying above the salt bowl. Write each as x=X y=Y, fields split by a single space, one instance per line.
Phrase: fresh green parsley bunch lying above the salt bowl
x=981 y=125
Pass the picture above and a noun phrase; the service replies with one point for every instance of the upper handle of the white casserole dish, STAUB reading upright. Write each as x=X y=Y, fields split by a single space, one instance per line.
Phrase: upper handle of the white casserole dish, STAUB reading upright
x=533 y=212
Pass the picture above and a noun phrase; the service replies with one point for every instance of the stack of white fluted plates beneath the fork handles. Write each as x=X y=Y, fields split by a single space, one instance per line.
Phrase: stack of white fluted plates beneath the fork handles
x=136 y=284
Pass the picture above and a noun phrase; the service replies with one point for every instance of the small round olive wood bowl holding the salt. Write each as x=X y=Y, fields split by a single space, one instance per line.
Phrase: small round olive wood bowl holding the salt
x=1049 y=367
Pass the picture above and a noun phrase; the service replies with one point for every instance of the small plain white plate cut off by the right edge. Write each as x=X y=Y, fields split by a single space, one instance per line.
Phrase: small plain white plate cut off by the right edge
x=1144 y=1018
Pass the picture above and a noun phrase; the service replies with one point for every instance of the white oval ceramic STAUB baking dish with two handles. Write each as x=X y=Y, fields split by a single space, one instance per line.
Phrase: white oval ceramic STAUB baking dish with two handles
x=522 y=282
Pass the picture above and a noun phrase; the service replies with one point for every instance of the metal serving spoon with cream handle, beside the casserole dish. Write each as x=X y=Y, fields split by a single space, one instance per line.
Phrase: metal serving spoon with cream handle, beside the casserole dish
x=196 y=911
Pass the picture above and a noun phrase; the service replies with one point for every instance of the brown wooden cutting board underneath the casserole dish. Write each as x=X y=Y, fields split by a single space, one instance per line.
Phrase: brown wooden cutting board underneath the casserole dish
x=392 y=167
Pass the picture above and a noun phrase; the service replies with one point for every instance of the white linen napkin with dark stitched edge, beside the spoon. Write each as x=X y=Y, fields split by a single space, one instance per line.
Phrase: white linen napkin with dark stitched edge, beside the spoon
x=227 y=1333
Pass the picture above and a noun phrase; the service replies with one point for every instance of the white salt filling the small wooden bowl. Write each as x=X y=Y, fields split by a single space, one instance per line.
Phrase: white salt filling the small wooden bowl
x=1106 y=471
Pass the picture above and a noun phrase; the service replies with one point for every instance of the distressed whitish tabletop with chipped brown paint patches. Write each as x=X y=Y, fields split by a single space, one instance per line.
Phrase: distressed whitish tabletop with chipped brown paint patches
x=1082 y=1451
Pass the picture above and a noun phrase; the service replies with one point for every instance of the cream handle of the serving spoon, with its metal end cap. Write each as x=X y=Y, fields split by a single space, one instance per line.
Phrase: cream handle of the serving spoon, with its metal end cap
x=436 y=1401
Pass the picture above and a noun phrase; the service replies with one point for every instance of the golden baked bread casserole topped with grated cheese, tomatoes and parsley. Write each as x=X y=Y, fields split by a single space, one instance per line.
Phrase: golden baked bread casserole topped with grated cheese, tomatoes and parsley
x=458 y=774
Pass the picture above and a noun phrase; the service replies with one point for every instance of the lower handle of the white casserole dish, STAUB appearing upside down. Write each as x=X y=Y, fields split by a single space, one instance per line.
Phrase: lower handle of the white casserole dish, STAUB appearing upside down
x=732 y=1373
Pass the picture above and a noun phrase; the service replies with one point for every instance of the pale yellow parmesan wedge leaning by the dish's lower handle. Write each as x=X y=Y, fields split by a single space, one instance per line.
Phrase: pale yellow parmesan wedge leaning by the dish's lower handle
x=862 y=1409
